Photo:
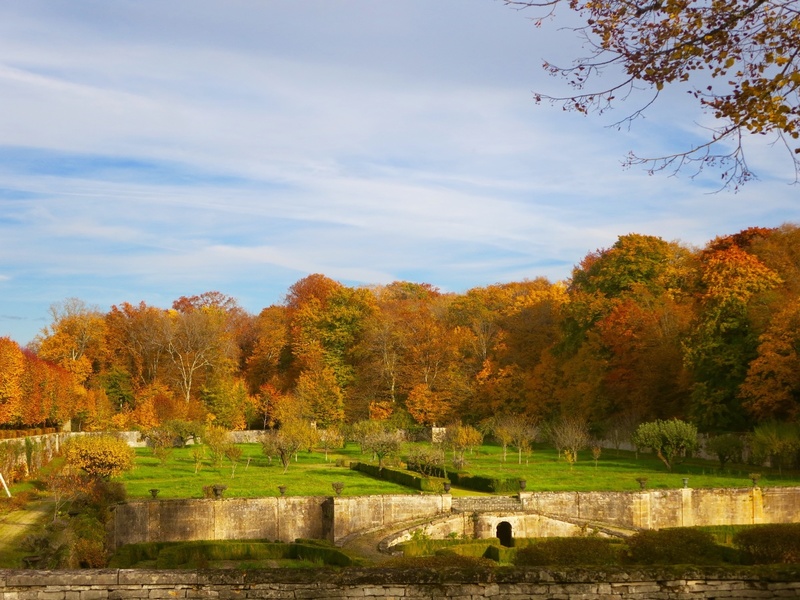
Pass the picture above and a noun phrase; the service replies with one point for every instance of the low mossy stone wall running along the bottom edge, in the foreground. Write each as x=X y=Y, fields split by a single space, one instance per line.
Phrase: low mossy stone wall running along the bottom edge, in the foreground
x=385 y=584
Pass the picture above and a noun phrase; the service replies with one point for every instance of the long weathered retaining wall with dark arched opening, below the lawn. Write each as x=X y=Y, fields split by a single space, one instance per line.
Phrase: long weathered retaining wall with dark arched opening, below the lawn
x=340 y=517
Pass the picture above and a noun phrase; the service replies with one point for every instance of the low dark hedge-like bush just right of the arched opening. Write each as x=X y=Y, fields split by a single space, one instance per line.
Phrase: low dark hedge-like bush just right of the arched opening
x=569 y=551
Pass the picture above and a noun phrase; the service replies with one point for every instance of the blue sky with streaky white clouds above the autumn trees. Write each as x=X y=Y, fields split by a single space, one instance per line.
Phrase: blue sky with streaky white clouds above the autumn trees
x=152 y=149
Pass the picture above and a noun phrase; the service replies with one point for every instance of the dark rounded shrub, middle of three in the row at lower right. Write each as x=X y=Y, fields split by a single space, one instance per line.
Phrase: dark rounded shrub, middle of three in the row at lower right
x=684 y=546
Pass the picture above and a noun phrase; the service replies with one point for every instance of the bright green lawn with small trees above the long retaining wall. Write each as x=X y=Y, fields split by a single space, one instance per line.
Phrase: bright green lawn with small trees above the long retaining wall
x=543 y=469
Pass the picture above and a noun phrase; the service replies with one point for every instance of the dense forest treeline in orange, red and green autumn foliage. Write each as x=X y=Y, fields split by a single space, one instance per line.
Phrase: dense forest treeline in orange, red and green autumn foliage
x=645 y=329
